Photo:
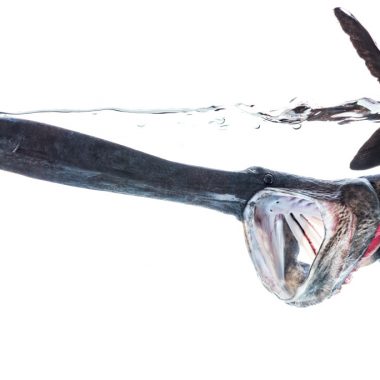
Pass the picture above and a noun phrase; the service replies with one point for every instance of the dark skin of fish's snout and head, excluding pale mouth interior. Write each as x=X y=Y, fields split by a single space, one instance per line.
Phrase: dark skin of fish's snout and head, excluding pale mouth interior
x=54 y=154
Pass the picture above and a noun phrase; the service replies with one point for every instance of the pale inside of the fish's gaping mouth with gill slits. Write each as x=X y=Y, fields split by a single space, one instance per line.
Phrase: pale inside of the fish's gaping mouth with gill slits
x=285 y=231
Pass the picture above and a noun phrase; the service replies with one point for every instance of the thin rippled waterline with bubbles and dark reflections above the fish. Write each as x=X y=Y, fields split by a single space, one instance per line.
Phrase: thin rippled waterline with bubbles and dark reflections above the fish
x=295 y=113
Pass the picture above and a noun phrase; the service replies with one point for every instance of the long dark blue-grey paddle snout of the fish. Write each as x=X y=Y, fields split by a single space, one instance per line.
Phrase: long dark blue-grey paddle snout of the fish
x=63 y=156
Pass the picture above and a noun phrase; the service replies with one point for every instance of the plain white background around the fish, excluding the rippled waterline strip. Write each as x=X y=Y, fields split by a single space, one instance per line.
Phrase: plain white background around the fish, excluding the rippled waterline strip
x=103 y=286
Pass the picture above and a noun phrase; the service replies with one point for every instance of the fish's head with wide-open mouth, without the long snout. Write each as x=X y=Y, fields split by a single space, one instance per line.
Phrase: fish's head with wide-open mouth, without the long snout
x=306 y=237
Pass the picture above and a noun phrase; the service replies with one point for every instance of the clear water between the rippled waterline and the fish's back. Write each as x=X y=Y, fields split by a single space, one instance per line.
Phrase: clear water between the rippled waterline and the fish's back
x=302 y=138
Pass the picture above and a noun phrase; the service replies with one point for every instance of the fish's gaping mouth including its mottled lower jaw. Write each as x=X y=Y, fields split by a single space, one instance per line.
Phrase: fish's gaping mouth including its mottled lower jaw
x=299 y=244
